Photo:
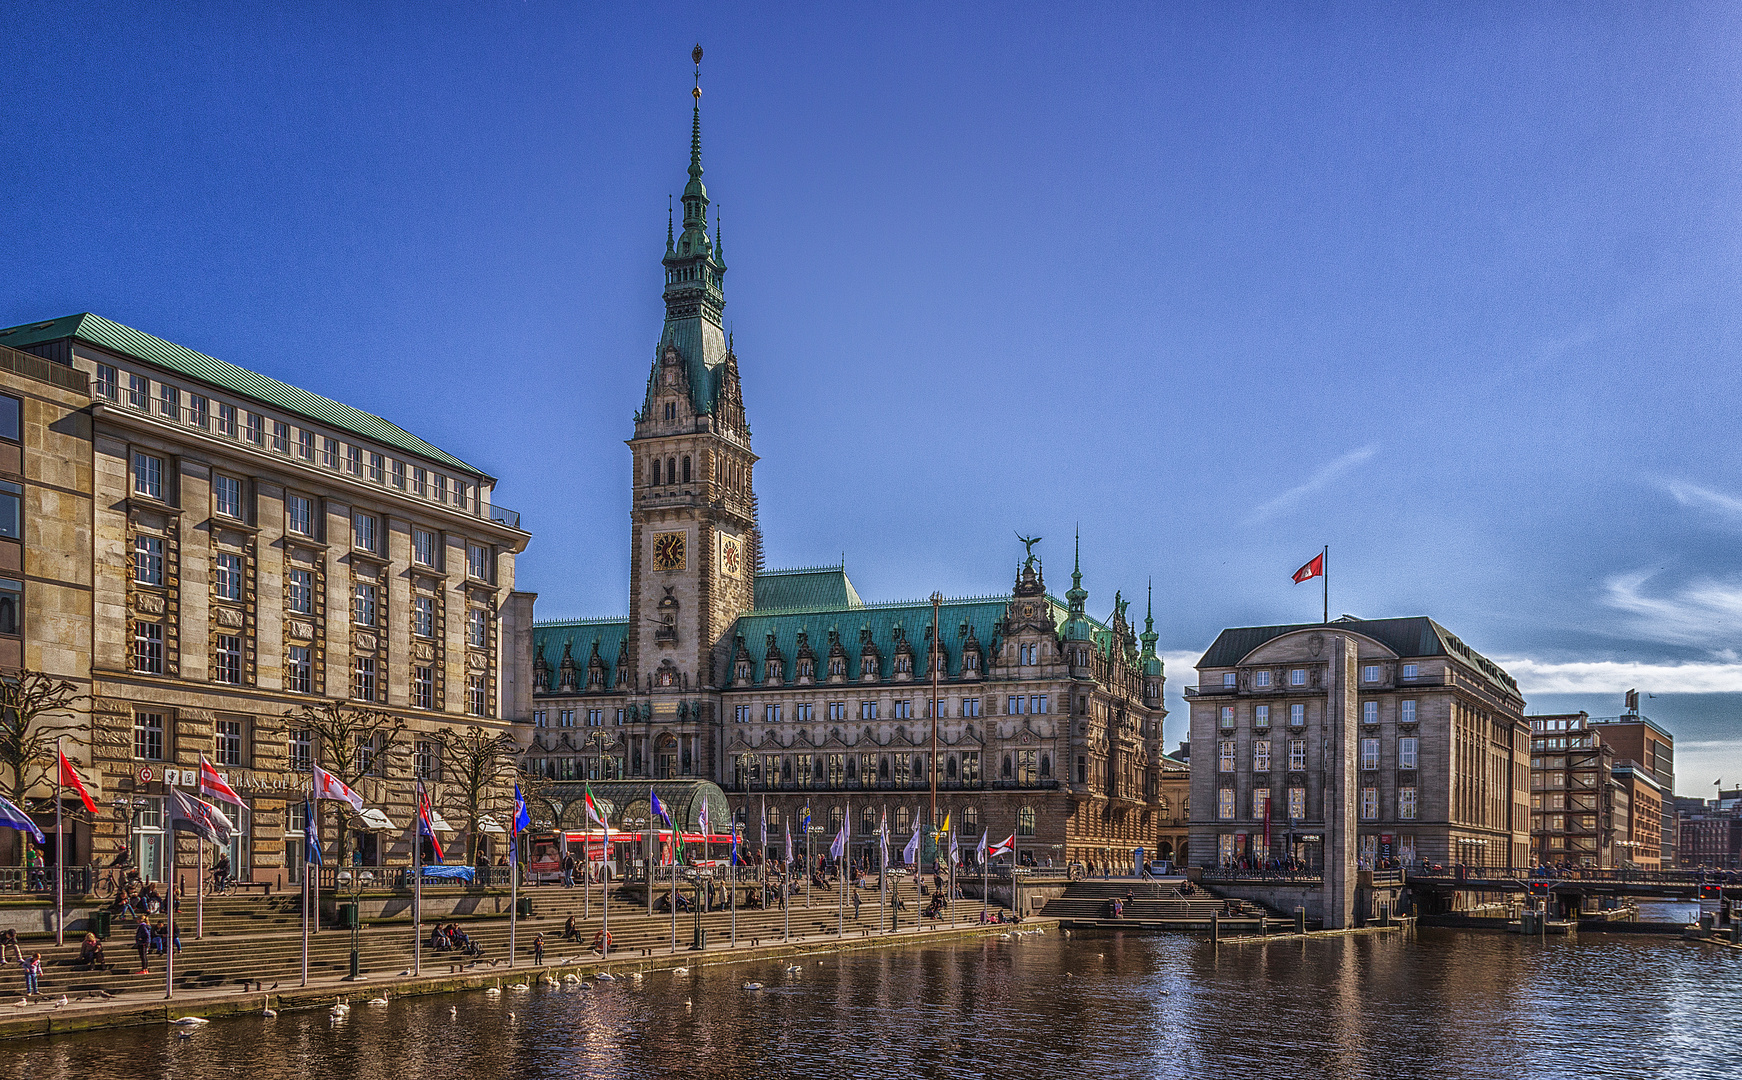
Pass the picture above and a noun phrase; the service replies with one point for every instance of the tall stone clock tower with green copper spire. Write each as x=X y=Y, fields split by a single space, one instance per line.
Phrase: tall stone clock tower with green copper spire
x=694 y=557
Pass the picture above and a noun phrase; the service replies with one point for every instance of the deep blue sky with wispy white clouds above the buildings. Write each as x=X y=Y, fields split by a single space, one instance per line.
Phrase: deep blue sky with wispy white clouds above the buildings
x=1454 y=290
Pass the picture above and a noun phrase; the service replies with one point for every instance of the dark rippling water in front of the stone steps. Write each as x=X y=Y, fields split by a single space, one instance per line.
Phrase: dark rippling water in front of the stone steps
x=1440 y=1004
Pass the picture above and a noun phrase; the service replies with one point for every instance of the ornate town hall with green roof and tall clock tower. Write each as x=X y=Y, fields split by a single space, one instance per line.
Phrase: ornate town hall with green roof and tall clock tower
x=788 y=691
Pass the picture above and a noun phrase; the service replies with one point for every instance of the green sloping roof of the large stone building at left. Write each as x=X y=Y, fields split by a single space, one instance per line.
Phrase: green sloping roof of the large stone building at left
x=140 y=346
